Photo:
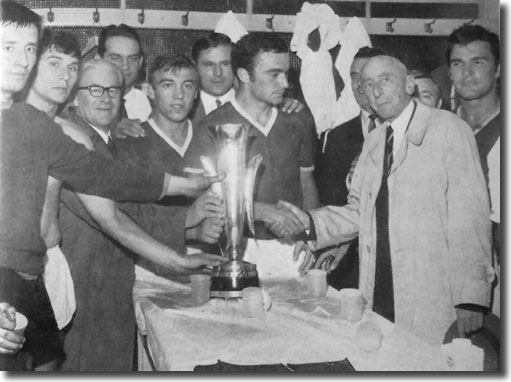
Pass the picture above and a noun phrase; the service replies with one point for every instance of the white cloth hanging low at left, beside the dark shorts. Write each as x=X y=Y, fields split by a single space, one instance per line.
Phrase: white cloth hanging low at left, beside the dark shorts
x=59 y=285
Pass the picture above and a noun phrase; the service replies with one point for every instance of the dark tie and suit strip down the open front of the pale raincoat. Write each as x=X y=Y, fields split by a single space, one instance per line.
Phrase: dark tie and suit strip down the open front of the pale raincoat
x=383 y=299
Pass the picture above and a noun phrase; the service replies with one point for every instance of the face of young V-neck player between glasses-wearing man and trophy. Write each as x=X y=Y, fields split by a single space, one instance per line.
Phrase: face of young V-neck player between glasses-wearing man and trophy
x=174 y=93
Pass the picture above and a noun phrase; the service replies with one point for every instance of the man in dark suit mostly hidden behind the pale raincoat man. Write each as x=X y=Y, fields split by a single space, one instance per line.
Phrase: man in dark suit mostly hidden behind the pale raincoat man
x=340 y=147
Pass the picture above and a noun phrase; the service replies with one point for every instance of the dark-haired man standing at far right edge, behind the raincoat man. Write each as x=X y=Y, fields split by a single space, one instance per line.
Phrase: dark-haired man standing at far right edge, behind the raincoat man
x=473 y=55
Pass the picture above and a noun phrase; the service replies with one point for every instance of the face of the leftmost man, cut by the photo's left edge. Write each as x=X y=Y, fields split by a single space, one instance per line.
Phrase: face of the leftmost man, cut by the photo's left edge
x=17 y=56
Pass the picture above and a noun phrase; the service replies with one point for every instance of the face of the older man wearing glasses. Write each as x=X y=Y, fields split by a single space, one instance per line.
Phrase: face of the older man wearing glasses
x=99 y=111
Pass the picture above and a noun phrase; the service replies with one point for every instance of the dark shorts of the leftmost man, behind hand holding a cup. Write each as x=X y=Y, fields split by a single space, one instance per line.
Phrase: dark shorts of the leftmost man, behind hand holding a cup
x=43 y=340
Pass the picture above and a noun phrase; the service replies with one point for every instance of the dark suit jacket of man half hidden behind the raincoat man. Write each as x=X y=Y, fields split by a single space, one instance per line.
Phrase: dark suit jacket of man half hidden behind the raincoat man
x=343 y=144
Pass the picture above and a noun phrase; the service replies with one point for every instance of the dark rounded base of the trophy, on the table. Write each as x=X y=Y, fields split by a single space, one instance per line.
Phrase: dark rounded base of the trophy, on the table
x=230 y=278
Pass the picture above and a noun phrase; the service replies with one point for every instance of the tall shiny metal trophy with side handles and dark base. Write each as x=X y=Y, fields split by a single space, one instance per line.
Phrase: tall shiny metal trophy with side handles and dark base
x=236 y=189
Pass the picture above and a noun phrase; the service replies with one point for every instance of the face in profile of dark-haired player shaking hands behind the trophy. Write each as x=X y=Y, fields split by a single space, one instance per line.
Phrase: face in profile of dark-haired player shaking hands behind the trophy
x=269 y=82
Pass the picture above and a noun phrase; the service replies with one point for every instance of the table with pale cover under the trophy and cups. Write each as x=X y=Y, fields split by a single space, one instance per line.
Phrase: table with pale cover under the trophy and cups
x=296 y=330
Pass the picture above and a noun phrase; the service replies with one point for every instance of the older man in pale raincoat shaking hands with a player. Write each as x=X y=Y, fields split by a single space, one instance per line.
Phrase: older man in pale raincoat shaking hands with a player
x=419 y=205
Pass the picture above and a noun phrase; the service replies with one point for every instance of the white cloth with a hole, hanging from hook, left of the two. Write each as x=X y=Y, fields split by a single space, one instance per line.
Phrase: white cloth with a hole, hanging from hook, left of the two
x=316 y=76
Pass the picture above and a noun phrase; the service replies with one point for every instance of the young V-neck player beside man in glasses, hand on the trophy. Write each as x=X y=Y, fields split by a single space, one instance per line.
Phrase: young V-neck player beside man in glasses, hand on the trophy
x=169 y=132
